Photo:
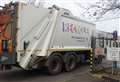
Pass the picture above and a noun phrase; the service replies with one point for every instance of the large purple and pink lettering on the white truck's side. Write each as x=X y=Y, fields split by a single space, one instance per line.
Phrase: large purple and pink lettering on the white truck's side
x=79 y=29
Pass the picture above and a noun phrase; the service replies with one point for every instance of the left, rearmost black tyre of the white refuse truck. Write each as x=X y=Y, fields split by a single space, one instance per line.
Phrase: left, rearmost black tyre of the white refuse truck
x=54 y=64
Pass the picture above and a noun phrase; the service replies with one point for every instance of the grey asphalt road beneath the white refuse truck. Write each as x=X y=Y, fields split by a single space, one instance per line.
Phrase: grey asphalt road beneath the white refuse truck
x=81 y=74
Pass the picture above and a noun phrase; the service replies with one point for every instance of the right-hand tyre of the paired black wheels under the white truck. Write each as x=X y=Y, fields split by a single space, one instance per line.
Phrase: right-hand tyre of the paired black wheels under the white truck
x=70 y=62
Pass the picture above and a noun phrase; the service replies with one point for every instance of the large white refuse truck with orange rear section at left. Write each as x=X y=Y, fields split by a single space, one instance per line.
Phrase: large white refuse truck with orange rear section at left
x=36 y=37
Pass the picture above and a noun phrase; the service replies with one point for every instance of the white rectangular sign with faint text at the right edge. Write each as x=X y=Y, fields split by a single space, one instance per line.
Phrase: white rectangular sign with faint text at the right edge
x=113 y=54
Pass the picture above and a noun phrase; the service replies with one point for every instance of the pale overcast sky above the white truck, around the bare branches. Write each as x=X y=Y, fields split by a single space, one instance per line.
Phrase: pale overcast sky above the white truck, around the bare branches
x=108 y=25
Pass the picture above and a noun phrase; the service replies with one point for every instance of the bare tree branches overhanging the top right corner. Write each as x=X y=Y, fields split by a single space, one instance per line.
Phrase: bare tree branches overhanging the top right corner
x=101 y=8
